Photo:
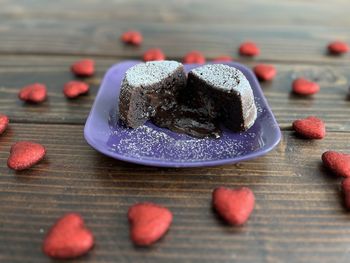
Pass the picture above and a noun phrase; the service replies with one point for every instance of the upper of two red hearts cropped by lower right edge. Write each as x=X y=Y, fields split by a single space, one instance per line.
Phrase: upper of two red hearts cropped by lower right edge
x=338 y=163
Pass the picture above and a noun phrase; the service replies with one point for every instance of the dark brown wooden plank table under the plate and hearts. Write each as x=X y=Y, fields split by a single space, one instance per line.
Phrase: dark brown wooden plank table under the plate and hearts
x=299 y=215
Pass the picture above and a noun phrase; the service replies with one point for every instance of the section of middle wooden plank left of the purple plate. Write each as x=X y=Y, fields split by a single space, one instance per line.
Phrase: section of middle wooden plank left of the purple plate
x=18 y=71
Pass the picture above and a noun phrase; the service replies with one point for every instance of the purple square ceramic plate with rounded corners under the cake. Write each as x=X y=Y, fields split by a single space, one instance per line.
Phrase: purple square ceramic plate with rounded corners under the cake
x=151 y=145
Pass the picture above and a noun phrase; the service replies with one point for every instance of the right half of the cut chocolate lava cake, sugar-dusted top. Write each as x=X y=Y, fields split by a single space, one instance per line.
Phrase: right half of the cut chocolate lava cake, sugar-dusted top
x=226 y=94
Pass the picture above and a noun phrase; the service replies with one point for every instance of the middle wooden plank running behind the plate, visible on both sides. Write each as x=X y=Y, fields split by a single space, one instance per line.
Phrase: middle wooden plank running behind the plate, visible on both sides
x=331 y=103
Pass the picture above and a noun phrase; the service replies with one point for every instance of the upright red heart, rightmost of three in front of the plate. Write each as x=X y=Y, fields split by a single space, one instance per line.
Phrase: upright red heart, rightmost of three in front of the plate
x=234 y=205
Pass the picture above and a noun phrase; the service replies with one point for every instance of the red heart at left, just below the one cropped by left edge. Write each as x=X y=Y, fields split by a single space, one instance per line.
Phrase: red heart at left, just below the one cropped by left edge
x=24 y=155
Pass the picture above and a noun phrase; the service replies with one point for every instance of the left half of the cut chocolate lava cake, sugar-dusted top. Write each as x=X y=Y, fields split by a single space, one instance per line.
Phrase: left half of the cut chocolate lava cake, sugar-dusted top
x=148 y=88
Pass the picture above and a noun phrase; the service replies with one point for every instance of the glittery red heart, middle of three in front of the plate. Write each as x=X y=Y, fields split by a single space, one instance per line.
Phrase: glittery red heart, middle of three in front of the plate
x=149 y=222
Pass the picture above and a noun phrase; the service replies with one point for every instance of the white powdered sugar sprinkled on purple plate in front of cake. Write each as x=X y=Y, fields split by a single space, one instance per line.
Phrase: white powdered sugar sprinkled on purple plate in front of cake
x=144 y=141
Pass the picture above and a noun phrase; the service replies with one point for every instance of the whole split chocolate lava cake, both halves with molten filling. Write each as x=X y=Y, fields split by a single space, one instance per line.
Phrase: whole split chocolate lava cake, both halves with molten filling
x=214 y=94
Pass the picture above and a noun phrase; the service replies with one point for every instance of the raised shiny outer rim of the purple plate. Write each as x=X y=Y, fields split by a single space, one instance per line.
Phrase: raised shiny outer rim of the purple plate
x=177 y=164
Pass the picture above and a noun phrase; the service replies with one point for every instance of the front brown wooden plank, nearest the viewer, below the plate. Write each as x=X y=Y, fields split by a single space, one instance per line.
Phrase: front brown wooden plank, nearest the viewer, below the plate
x=298 y=216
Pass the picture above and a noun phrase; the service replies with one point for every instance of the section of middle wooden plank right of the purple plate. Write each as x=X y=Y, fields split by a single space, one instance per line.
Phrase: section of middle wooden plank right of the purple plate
x=331 y=103
